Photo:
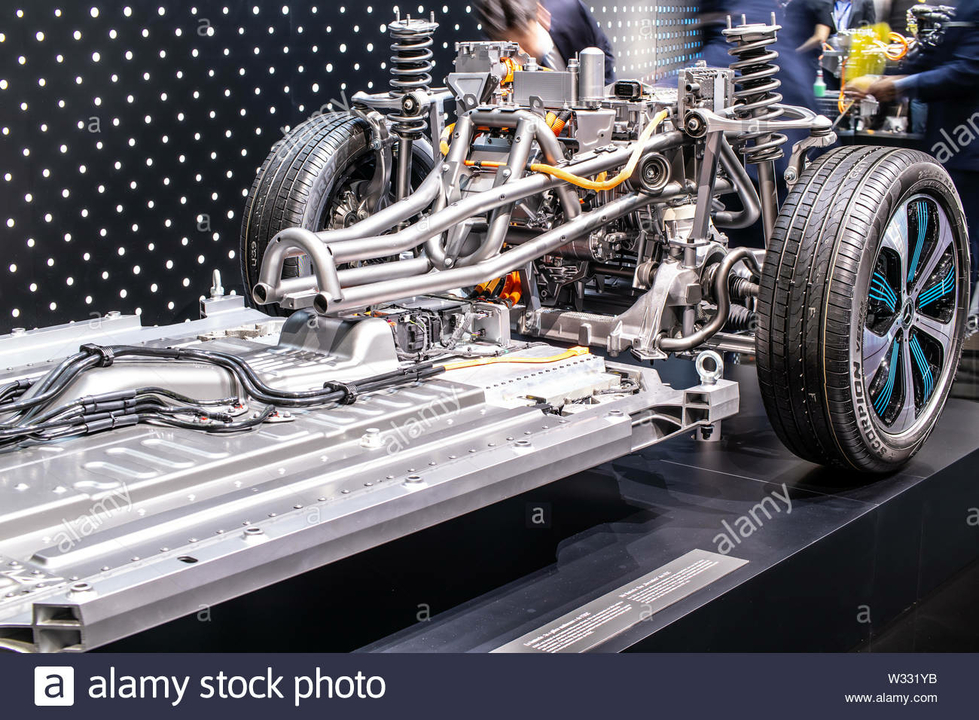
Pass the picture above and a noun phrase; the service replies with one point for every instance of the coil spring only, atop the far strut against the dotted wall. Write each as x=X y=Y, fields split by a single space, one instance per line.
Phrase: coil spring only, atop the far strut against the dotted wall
x=411 y=69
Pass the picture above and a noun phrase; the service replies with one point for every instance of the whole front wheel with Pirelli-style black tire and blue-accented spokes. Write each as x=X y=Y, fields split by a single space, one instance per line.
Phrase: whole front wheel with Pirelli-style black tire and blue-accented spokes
x=856 y=360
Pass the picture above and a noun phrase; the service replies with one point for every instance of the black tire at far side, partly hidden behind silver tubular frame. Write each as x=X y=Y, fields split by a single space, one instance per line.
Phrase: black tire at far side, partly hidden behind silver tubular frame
x=298 y=183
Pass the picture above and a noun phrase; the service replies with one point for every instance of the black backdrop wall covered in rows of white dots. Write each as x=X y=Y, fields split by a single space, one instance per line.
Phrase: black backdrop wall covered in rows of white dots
x=130 y=132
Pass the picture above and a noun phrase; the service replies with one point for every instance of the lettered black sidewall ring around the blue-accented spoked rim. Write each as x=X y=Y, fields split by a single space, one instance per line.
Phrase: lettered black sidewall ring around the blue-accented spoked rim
x=928 y=178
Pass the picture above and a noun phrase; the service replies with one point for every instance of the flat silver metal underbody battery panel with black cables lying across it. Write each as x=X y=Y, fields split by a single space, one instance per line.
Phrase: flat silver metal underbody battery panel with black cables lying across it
x=106 y=535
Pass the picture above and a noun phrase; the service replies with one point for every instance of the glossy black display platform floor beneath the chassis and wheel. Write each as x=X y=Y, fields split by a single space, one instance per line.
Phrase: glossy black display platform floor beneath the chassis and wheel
x=853 y=554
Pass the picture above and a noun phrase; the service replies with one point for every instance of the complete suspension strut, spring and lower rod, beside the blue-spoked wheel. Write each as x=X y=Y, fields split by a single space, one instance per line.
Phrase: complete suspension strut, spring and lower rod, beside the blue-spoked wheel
x=757 y=99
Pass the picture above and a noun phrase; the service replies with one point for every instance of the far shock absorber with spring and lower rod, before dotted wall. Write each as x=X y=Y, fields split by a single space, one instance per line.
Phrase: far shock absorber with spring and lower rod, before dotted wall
x=411 y=73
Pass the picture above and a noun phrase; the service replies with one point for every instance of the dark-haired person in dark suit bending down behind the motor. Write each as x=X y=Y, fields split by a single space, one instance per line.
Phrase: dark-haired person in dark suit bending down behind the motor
x=552 y=31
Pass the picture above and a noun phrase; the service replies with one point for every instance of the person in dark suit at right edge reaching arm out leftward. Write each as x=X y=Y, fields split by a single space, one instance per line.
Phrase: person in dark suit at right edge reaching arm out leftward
x=947 y=78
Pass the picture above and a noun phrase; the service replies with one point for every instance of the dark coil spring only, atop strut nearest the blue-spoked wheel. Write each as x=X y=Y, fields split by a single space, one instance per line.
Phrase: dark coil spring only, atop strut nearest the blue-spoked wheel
x=756 y=88
